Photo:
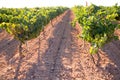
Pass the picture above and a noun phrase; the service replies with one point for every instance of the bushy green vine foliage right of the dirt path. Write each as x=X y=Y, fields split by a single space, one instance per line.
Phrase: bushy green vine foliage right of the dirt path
x=98 y=24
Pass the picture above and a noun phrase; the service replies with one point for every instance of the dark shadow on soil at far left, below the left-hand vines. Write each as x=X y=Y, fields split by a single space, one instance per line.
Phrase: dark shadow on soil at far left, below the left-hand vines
x=8 y=49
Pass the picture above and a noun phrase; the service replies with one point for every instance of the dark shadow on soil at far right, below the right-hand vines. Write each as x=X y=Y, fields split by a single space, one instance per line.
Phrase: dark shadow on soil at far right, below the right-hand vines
x=112 y=50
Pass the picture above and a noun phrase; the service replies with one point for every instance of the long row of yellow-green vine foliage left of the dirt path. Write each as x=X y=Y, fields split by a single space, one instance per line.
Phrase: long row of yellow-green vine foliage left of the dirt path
x=27 y=23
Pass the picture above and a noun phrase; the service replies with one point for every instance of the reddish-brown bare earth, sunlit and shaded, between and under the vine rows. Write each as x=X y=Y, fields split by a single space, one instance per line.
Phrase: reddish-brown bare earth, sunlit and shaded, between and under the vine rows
x=58 y=55
